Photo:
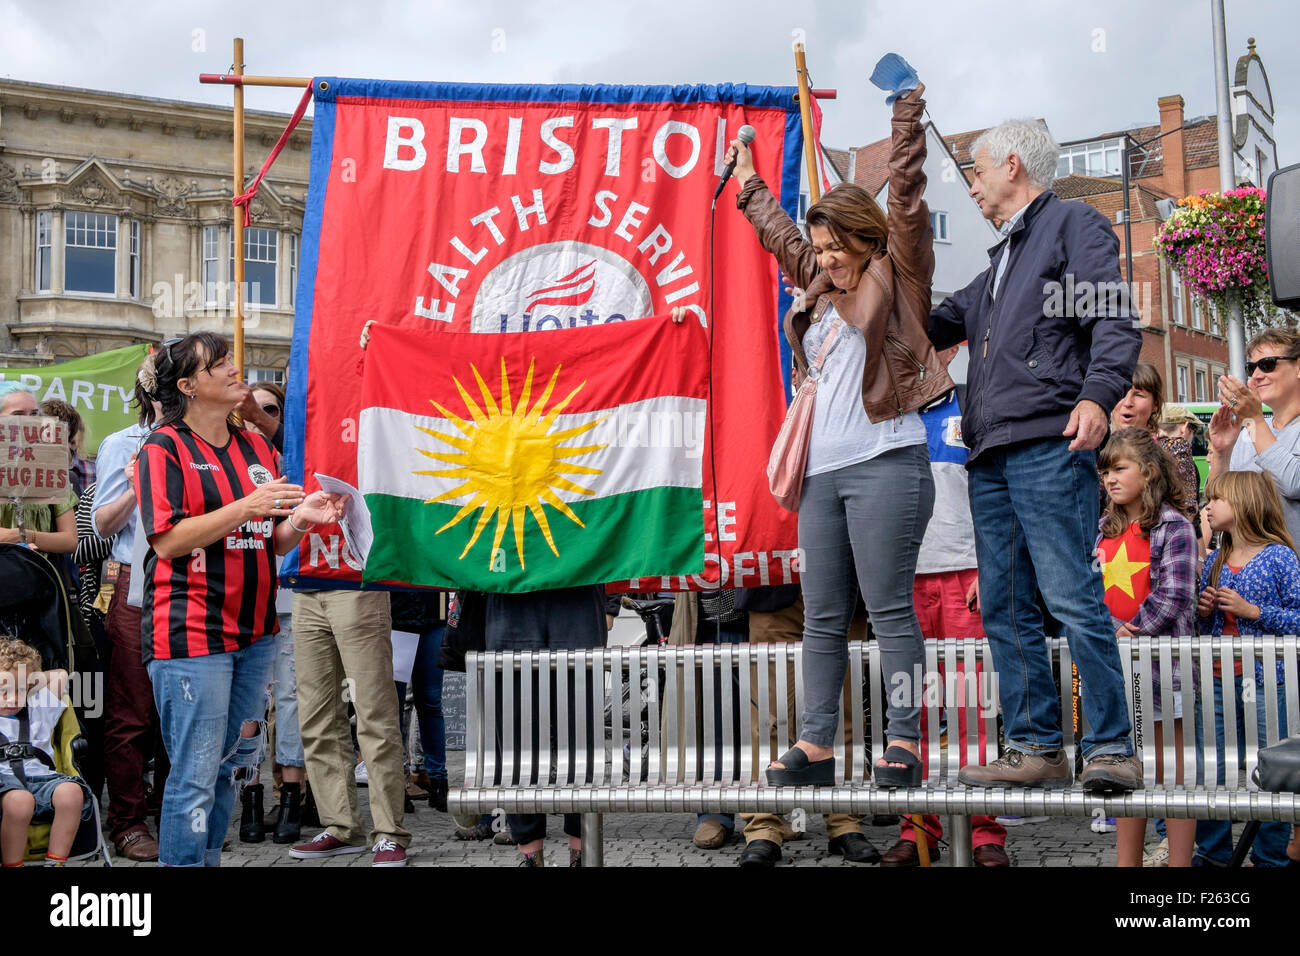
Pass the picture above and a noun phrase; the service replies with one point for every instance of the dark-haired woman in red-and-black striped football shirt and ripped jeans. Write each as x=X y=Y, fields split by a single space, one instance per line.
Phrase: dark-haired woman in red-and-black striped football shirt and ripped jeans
x=216 y=512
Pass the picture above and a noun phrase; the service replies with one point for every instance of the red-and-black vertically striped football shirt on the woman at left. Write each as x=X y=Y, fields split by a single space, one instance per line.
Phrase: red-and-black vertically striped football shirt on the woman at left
x=222 y=598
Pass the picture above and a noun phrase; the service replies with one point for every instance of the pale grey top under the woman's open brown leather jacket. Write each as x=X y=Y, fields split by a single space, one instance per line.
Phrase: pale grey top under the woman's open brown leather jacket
x=843 y=435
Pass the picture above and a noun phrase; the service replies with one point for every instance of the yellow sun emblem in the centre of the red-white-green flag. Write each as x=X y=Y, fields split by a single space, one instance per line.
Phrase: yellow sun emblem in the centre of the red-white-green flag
x=509 y=461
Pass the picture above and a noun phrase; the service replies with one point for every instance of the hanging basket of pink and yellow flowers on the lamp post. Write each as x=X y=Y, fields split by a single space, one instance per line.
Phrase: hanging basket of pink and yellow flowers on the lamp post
x=1215 y=243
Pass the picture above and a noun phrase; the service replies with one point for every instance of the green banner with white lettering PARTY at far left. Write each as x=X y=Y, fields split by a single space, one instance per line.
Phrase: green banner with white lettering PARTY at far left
x=98 y=387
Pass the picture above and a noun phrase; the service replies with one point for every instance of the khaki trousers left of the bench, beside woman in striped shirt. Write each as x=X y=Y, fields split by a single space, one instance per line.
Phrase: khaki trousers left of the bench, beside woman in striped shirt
x=344 y=654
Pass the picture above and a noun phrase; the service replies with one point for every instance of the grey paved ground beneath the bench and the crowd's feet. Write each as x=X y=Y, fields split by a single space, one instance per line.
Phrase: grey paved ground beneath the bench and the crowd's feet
x=647 y=840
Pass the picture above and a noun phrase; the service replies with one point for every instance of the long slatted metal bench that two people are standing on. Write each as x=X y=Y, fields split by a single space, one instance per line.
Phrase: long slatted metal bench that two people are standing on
x=649 y=730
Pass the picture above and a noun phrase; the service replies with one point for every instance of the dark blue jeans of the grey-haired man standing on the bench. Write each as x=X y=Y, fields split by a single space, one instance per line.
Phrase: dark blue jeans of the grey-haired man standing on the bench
x=1035 y=511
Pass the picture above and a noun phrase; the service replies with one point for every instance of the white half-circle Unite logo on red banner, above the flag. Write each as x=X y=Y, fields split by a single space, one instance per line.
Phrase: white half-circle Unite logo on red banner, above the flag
x=560 y=285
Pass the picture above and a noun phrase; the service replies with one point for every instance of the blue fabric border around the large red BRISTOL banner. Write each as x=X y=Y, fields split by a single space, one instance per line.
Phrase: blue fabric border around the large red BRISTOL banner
x=319 y=183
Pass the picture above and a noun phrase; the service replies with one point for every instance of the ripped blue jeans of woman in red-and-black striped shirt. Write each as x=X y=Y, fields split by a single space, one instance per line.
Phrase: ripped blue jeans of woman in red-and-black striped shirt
x=203 y=703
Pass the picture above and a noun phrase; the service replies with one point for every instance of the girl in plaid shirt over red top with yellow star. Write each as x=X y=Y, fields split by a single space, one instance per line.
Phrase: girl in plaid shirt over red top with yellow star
x=1147 y=550
